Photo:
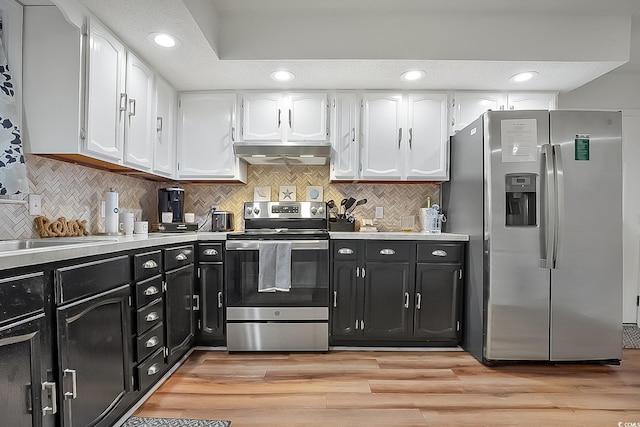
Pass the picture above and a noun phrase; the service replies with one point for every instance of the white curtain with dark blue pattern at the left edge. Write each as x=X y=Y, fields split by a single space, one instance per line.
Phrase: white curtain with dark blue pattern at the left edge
x=13 y=170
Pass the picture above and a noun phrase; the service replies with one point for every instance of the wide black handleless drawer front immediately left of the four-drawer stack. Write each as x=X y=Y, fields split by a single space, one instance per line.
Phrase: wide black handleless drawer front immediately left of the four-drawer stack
x=91 y=278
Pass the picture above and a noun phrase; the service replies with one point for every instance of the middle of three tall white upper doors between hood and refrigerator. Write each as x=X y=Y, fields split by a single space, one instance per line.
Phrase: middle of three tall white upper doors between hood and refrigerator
x=382 y=127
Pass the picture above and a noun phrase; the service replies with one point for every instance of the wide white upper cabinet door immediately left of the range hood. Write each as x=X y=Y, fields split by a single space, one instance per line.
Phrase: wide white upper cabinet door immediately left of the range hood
x=206 y=131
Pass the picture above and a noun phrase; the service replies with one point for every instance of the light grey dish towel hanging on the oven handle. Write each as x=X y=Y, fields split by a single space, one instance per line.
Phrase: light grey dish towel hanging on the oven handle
x=274 y=271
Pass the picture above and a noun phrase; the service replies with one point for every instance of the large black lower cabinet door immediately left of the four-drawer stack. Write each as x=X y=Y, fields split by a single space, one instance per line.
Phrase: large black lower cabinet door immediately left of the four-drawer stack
x=94 y=358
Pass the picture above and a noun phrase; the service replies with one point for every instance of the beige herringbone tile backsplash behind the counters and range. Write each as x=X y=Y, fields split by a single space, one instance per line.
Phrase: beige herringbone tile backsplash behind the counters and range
x=76 y=192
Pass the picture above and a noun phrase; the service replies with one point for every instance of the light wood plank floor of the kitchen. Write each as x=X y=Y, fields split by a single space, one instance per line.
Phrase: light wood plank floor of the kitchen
x=373 y=388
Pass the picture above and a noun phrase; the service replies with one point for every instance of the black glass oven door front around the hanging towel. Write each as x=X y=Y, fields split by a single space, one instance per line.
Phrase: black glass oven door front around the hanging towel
x=309 y=280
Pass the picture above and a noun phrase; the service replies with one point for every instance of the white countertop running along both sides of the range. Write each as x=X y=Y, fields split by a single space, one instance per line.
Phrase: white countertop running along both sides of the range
x=101 y=244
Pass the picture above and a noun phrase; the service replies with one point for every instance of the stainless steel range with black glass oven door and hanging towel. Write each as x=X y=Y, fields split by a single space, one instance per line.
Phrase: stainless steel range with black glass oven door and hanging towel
x=277 y=278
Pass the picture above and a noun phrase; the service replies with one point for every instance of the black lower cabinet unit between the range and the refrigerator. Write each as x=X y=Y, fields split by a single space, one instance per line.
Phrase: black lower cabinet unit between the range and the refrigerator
x=396 y=292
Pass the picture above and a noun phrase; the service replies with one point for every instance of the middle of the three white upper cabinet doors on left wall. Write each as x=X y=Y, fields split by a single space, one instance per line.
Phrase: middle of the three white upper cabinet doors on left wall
x=140 y=119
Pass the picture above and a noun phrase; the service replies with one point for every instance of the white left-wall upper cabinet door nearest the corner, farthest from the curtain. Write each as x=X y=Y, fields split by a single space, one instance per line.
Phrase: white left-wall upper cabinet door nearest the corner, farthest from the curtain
x=164 y=149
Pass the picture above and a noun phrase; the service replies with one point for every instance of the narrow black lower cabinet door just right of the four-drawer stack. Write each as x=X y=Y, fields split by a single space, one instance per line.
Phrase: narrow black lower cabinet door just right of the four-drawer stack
x=179 y=311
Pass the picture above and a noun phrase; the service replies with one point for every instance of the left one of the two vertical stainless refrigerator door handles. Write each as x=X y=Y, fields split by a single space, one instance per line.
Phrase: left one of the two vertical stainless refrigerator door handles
x=548 y=208
